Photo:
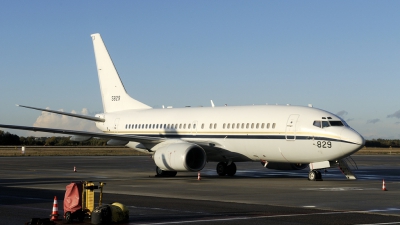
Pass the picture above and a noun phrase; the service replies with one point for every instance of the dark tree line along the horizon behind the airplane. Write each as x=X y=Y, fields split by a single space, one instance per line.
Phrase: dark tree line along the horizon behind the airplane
x=11 y=139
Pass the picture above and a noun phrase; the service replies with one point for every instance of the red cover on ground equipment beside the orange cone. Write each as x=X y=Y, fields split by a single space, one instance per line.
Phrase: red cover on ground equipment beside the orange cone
x=72 y=198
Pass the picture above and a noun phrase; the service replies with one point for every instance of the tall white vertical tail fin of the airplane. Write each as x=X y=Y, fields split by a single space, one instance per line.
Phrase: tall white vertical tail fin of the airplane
x=112 y=90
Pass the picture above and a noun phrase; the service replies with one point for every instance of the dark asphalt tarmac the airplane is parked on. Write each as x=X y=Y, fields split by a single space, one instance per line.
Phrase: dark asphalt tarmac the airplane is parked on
x=255 y=195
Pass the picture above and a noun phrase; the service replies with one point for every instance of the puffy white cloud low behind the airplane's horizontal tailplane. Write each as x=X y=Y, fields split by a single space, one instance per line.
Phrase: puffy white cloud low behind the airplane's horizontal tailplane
x=52 y=120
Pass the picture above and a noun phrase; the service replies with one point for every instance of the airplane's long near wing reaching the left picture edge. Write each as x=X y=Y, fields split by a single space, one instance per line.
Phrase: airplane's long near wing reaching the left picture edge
x=136 y=138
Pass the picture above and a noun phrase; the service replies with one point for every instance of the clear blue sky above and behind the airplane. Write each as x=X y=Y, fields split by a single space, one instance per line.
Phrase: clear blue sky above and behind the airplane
x=340 y=56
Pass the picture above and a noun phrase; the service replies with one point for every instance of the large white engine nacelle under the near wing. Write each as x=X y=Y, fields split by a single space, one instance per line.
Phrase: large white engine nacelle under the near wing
x=180 y=157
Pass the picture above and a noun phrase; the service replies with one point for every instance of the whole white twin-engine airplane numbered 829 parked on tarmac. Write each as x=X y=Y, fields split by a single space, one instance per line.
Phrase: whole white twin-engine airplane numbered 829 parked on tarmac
x=185 y=139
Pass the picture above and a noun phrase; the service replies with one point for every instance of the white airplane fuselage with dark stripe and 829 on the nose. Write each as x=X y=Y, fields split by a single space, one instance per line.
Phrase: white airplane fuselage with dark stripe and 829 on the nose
x=257 y=144
